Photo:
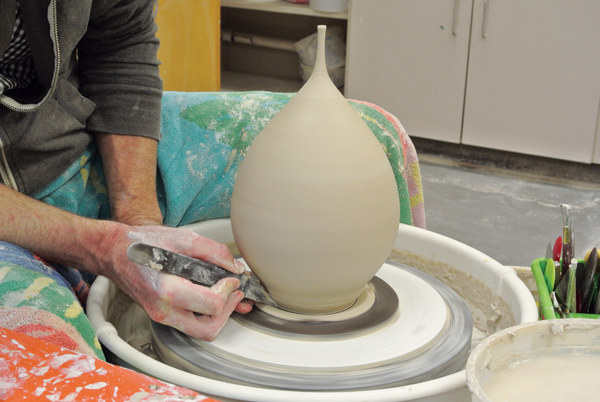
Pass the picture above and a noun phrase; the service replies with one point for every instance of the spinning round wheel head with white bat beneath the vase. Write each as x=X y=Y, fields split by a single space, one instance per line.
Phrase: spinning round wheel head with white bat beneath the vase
x=406 y=327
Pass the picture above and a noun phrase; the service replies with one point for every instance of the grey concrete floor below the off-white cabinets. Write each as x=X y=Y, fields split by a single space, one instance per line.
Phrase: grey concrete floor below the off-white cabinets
x=505 y=210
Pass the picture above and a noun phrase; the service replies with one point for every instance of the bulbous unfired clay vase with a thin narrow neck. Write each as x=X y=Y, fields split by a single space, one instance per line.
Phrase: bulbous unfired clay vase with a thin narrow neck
x=315 y=208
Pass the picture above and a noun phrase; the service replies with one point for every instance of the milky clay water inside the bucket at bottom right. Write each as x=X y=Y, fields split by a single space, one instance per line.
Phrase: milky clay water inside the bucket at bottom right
x=546 y=378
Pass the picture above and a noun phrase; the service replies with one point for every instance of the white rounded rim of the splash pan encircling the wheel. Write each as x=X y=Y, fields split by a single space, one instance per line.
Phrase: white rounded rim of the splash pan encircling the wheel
x=108 y=336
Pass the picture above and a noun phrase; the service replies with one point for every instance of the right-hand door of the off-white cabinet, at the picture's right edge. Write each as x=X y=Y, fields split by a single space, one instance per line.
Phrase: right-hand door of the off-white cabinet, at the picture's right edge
x=534 y=79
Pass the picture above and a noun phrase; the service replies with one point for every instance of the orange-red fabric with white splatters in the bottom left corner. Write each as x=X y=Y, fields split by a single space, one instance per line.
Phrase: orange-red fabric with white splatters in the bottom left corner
x=32 y=369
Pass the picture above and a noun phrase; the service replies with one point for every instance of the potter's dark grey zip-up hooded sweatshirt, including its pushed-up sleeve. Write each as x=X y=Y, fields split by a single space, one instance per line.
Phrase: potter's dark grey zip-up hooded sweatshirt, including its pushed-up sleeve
x=97 y=70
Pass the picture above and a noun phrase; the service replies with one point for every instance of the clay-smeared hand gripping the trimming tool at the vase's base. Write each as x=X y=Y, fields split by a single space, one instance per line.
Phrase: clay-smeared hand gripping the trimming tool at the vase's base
x=198 y=311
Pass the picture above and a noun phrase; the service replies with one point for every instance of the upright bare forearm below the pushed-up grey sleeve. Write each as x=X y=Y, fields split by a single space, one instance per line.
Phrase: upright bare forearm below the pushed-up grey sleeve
x=130 y=168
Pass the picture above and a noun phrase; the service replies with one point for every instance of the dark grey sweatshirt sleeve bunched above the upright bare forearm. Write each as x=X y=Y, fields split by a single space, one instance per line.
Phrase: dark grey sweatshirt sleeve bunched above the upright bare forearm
x=118 y=68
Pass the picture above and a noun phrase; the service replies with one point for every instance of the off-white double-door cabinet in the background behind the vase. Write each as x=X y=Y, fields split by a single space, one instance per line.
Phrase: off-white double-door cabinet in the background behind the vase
x=530 y=85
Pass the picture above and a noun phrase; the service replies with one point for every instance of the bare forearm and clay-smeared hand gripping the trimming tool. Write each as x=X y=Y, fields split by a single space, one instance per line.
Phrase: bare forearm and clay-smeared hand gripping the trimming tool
x=100 y=247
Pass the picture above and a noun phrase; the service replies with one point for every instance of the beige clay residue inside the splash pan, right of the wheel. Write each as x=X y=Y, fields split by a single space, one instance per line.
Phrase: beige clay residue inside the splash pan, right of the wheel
x=489 y=311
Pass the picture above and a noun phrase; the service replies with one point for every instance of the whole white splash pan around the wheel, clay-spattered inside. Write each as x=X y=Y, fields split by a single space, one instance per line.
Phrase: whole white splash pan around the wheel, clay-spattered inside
x=496 y=297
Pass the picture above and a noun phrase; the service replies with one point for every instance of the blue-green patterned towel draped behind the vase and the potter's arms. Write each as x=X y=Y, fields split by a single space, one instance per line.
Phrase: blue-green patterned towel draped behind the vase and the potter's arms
x=204 y=138
